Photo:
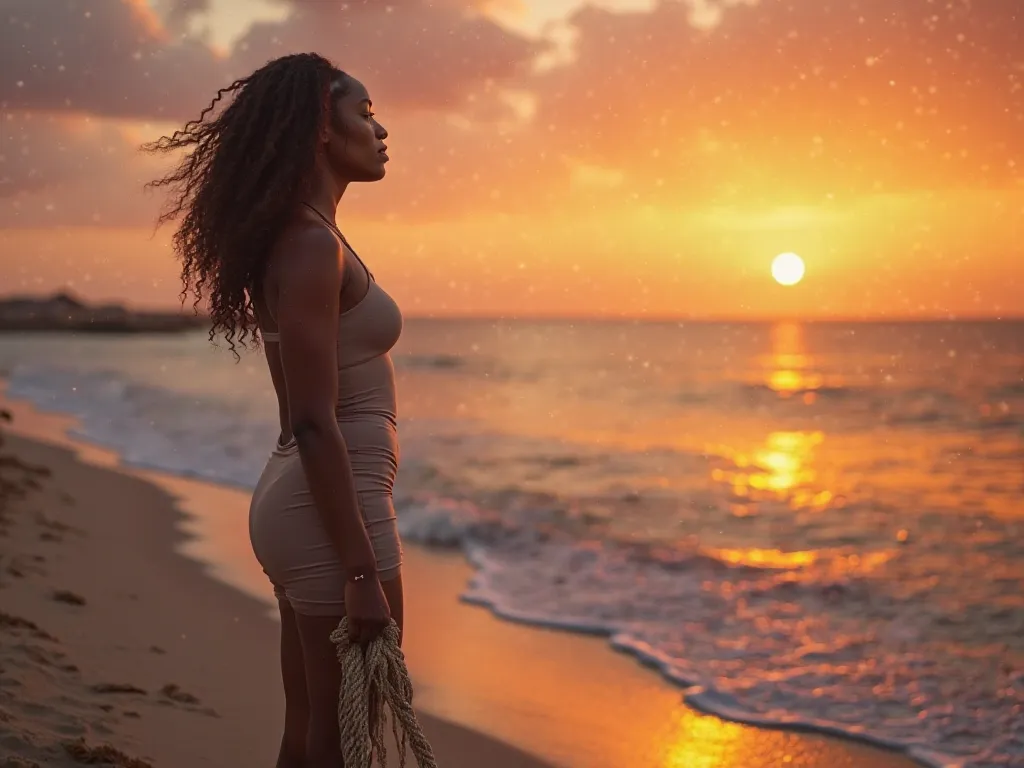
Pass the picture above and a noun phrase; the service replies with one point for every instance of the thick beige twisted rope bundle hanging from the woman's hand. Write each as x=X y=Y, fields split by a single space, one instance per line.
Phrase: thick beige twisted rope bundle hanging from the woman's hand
x=371 y=680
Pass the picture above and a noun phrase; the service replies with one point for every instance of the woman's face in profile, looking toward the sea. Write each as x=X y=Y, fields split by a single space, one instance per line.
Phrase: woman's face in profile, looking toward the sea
x=355 y=144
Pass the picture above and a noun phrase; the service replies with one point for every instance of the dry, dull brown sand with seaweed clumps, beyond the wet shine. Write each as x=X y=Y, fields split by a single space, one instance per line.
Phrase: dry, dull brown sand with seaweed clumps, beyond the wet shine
x=118 y=651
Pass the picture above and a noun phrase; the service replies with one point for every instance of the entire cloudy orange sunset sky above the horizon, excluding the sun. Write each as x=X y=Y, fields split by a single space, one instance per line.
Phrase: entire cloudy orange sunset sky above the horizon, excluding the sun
x=629 y=158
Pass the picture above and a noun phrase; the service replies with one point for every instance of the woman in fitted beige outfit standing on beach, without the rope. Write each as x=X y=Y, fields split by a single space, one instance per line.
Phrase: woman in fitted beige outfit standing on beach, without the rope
x=259 y=190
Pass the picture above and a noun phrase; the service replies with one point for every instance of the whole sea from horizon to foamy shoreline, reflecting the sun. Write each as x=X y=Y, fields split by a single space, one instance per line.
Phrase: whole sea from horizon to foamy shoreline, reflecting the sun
x=815 y=526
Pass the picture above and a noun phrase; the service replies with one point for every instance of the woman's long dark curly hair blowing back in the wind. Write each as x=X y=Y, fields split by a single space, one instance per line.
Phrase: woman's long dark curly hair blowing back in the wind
x=239 y=181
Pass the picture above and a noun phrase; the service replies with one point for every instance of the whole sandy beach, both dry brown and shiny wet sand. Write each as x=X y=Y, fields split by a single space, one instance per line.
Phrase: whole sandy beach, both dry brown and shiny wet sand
x=135 y=616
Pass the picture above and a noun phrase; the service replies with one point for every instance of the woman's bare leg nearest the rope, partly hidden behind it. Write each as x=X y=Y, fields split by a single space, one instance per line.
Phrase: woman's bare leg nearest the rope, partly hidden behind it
x=323 y=673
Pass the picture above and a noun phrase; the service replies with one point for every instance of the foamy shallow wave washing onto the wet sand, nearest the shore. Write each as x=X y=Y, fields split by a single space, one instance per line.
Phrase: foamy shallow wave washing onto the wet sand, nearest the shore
x=819 y=644
